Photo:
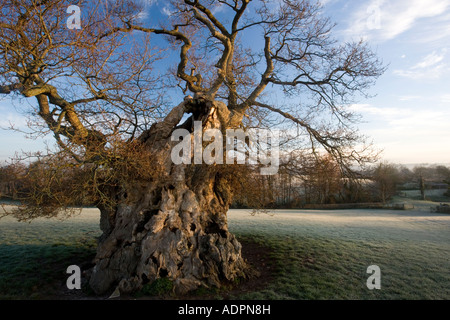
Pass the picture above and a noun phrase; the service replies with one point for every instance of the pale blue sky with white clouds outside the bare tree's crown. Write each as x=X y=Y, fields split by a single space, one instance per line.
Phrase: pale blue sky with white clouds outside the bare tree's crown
x=409 y=118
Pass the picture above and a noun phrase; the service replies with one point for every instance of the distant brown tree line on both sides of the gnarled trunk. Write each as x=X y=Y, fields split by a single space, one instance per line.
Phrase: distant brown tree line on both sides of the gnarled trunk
x=302 y=180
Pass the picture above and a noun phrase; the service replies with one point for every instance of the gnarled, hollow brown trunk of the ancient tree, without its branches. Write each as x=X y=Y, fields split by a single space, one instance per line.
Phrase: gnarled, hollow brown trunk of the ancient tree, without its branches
x=176 y=225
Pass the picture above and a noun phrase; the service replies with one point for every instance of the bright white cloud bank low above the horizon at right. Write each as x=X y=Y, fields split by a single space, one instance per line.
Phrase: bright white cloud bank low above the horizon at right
x=408 y=135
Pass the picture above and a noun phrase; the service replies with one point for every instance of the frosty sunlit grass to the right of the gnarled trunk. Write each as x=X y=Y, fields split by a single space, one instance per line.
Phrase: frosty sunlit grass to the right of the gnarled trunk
x=325 y=254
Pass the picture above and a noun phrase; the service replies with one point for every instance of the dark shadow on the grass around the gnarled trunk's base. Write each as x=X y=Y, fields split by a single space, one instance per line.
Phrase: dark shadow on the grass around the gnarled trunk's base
x=38 y=272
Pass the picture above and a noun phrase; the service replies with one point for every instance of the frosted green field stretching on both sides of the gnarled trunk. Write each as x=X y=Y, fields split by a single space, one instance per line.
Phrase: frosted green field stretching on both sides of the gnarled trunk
x=314 y=254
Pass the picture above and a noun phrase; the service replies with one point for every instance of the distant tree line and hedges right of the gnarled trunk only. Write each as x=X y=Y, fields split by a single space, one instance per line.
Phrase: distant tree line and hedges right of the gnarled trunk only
x=304 y=180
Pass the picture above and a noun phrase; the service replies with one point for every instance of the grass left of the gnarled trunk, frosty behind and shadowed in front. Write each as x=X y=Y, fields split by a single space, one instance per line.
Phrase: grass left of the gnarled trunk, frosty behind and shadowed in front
x=34 y=256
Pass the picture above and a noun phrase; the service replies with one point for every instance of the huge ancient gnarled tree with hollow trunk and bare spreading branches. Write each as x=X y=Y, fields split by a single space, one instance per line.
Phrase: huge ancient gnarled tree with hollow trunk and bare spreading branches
x=101 y=92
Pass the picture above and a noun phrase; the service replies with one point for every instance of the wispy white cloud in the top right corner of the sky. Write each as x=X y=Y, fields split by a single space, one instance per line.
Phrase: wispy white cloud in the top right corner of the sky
x=385 y=20
